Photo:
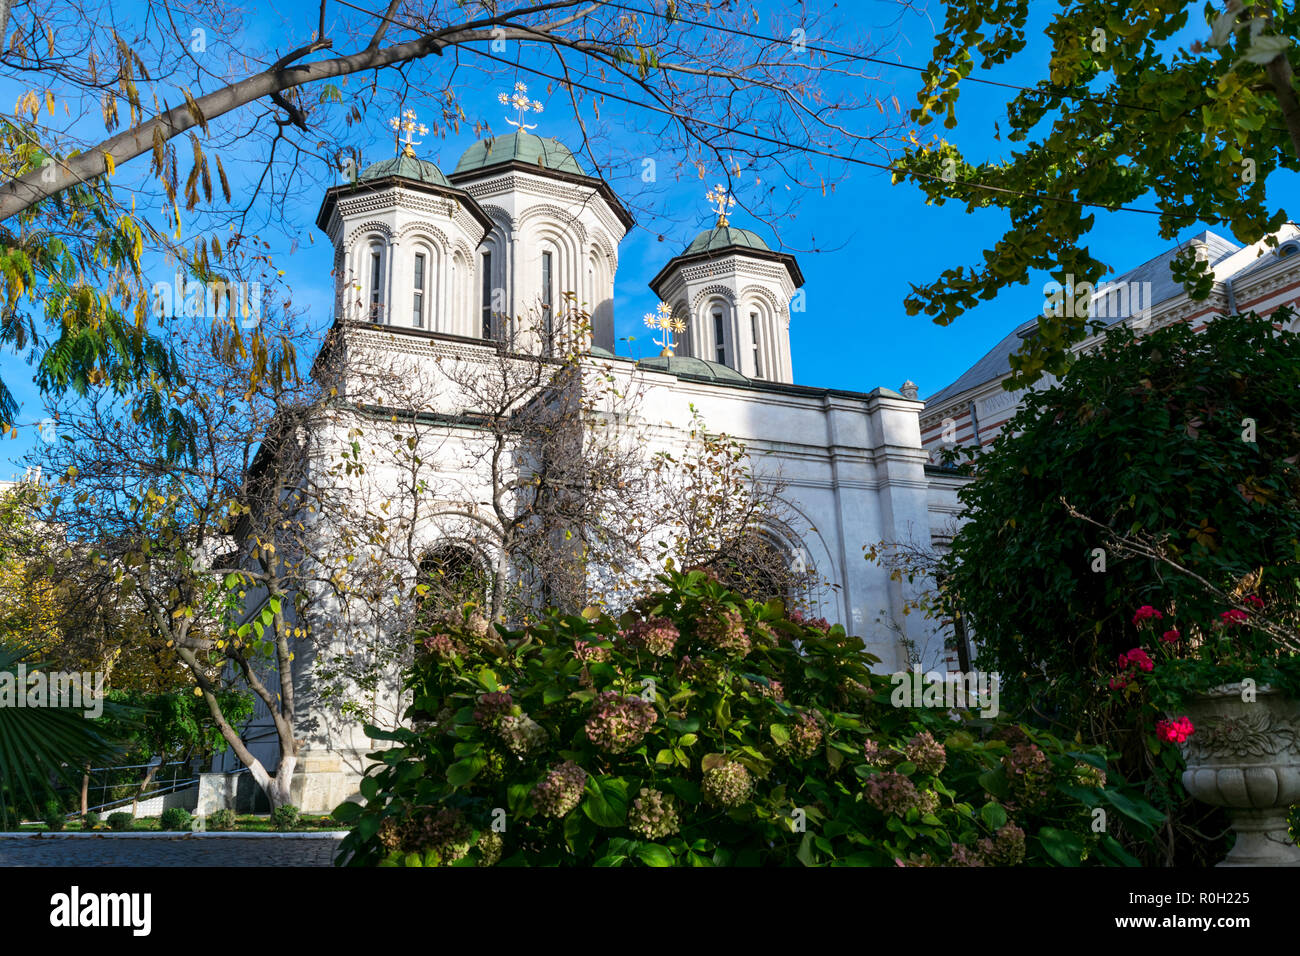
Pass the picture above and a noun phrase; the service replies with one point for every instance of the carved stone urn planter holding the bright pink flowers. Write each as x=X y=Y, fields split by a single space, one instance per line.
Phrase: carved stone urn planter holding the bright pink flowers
x=1245 y=756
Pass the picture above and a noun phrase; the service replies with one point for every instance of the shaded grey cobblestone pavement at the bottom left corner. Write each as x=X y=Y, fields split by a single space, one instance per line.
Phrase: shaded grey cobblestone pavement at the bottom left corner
x=170 y=850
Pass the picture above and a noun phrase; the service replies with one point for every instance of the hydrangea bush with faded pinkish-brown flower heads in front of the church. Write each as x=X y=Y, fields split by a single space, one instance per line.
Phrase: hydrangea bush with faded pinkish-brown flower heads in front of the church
x=709 y=730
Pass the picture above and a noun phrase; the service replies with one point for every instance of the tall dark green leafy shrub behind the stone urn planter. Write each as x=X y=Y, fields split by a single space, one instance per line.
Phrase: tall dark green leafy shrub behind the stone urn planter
x=1186 y=444
